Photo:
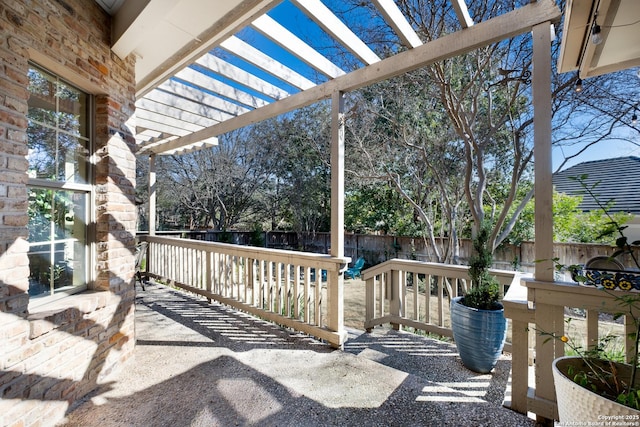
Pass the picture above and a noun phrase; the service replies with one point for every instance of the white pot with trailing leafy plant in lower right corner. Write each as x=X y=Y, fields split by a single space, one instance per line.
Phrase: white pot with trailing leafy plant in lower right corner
x=592 y=387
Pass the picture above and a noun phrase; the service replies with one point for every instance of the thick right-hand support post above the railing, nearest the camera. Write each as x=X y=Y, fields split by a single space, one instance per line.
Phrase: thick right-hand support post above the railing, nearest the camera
x=542 y=151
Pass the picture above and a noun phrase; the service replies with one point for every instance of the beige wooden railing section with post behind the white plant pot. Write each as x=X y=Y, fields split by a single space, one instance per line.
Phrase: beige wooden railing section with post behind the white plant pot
x=539 y=310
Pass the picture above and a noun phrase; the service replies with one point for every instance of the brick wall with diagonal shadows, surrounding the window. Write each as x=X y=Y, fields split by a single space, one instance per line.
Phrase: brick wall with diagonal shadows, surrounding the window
x=53 y=355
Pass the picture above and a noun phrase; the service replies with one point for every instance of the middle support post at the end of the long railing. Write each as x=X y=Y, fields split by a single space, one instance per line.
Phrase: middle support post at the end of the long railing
x=335 y=291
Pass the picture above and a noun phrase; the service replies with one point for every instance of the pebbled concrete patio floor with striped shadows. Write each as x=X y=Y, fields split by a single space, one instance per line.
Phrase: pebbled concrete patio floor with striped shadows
x=200 y=364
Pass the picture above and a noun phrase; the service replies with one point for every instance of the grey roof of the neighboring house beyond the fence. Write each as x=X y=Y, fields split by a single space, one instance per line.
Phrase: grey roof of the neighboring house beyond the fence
x=616 y=181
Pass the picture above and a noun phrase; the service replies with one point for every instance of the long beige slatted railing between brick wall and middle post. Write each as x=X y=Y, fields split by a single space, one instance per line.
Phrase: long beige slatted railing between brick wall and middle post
x=298 y=290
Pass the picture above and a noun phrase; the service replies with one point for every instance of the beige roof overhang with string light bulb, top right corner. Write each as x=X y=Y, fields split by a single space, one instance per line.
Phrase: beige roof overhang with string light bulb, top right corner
x=619 y=22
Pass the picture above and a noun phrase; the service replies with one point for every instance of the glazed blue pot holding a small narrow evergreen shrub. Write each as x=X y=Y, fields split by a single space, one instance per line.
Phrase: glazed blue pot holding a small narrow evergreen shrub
x=477 y=318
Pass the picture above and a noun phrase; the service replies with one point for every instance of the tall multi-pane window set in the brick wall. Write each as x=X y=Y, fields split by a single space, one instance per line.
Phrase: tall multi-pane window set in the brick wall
x=60 y=188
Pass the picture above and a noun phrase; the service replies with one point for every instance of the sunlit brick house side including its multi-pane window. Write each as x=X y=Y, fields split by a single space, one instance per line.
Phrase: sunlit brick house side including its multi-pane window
x=67 y=209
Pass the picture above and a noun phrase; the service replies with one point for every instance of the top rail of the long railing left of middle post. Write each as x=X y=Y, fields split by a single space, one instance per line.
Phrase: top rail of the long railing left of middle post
x=281 y=255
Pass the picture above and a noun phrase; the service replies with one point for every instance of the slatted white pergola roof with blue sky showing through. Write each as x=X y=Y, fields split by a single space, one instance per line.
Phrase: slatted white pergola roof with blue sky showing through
x=204 y=68
